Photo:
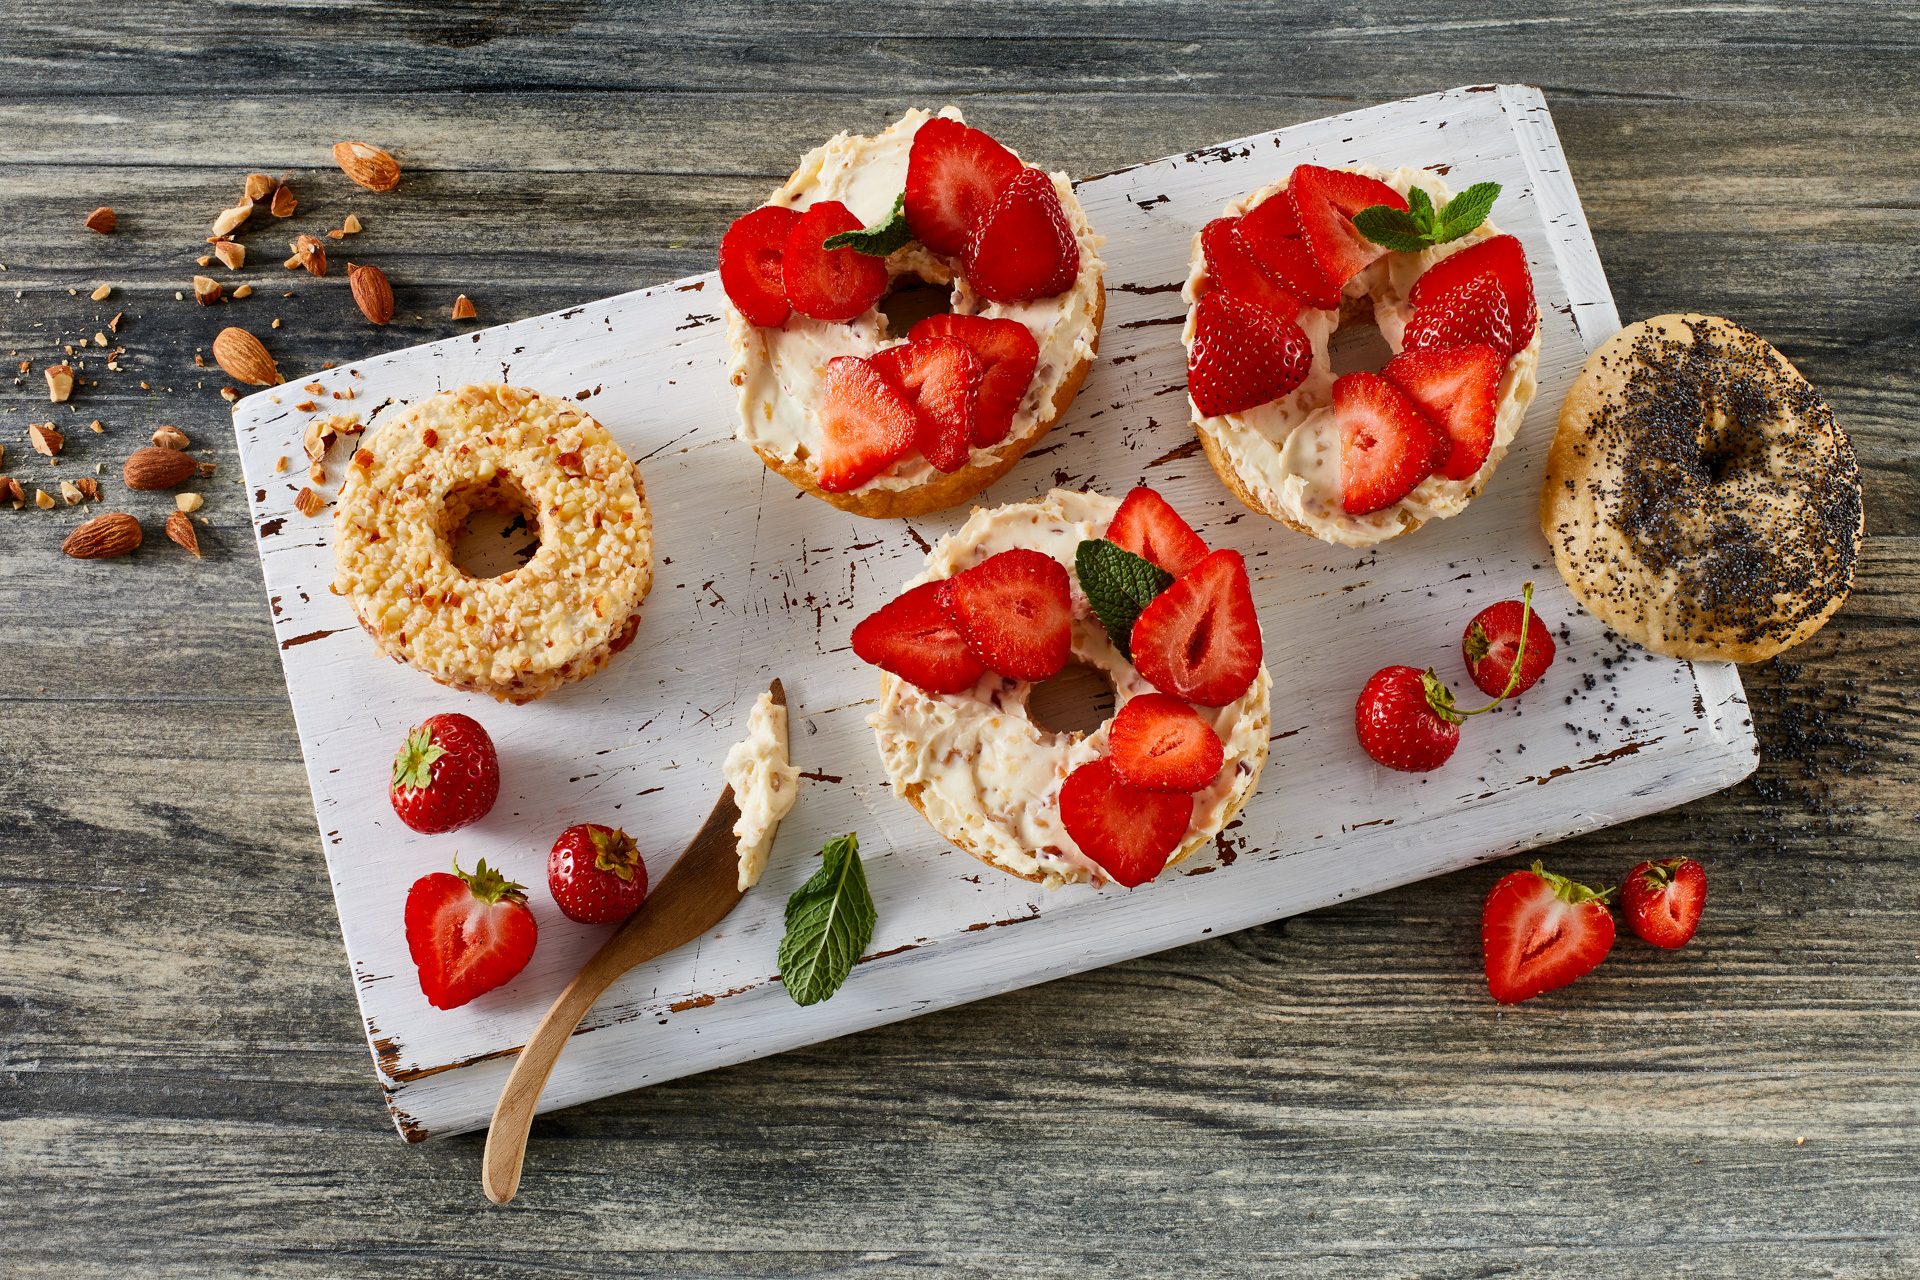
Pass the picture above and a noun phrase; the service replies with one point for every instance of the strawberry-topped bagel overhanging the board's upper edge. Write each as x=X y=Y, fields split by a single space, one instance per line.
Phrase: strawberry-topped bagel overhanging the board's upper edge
x=888 y=423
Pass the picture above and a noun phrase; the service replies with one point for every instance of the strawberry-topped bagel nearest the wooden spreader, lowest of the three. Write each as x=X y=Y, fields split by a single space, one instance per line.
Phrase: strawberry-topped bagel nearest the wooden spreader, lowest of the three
x=1019 y=592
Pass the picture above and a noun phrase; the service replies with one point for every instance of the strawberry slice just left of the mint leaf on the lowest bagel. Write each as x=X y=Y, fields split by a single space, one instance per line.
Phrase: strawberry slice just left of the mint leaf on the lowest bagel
x=1015 y=611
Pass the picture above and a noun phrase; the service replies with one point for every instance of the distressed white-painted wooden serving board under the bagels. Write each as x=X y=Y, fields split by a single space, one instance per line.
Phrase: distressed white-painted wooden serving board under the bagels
x=757 y=582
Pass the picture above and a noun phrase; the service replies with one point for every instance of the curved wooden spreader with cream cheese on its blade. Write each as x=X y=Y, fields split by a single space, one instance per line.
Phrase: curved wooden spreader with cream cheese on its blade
x=692 y=897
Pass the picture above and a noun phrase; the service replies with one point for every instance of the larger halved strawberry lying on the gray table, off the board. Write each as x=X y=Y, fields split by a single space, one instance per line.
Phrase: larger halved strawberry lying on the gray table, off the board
x=1541 y=932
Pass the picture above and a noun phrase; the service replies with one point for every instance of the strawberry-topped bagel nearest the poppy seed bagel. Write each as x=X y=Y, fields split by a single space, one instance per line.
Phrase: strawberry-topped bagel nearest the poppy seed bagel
x=1366 y=456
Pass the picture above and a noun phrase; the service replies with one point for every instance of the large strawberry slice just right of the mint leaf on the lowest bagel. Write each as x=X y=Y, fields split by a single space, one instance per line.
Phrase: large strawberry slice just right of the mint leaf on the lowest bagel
x=1199 y=640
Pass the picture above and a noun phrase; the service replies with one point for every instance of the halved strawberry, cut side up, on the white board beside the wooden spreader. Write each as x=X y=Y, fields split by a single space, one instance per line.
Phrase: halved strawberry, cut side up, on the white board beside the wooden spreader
x=468 y=934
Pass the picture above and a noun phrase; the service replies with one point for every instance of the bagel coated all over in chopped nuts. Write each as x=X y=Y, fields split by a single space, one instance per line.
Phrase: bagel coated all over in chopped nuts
x=412 y=486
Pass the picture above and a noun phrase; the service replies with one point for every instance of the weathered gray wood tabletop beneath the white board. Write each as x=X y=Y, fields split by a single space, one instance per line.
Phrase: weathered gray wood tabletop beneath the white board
x=183 y=1083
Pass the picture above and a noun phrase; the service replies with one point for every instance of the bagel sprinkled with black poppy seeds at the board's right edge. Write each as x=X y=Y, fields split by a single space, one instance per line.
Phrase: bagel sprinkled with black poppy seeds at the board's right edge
x=1700 y=496
